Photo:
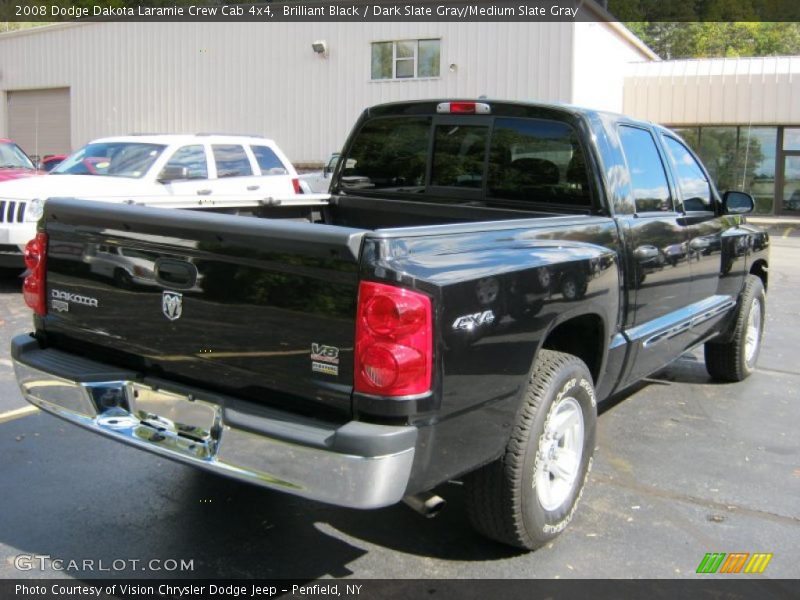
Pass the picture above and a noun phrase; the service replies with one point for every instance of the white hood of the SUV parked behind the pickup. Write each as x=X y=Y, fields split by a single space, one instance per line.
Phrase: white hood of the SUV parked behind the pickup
x=77 y=186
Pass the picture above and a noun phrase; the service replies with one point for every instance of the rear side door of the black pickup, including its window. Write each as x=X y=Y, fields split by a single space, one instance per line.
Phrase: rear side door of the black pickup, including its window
x=658 y=271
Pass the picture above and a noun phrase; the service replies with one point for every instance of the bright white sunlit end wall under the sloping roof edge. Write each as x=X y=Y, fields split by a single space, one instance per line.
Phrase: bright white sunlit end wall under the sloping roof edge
x=600 y=61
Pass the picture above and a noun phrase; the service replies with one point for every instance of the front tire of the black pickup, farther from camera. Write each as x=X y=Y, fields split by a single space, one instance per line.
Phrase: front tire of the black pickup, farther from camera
x=730 y=360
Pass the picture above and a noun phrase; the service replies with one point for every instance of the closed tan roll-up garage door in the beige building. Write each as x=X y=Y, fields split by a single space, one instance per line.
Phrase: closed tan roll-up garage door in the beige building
x=38 y=120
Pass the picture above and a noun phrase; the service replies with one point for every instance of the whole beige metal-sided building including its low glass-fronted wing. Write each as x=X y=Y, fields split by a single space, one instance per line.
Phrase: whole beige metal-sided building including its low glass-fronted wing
x=304 y=84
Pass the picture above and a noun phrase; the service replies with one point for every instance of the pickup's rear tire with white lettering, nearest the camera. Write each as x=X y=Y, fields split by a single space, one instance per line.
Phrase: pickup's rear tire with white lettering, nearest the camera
x=502 y=500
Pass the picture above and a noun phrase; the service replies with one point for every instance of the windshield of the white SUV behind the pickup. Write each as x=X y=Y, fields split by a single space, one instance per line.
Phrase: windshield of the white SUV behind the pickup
x=111 y=159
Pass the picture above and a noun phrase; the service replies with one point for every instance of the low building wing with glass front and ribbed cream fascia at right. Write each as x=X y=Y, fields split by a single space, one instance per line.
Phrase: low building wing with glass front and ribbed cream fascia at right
x=742 y=116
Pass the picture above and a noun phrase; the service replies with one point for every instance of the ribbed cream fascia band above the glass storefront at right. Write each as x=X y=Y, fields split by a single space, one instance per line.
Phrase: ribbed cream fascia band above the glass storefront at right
x=715 y=91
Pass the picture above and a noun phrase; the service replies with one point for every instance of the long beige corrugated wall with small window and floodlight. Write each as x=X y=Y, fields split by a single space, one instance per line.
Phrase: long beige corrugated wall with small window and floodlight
x=265 y=79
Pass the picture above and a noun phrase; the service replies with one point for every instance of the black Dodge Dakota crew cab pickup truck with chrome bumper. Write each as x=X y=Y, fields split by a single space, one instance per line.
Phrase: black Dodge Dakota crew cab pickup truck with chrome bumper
x=483 y=275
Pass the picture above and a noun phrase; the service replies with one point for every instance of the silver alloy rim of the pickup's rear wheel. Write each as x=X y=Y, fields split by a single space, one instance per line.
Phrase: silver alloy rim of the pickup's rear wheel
x=560 y=453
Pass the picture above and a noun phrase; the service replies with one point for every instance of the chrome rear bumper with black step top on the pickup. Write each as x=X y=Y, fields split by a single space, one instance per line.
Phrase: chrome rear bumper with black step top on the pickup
x=358 y=465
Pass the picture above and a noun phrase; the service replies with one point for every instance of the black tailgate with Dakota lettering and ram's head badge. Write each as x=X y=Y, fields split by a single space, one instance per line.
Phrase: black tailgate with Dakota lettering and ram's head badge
x=260 y=308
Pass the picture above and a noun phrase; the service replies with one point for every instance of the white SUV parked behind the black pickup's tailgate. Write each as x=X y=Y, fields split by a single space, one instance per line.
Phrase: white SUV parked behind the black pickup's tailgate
x=142 y=168
